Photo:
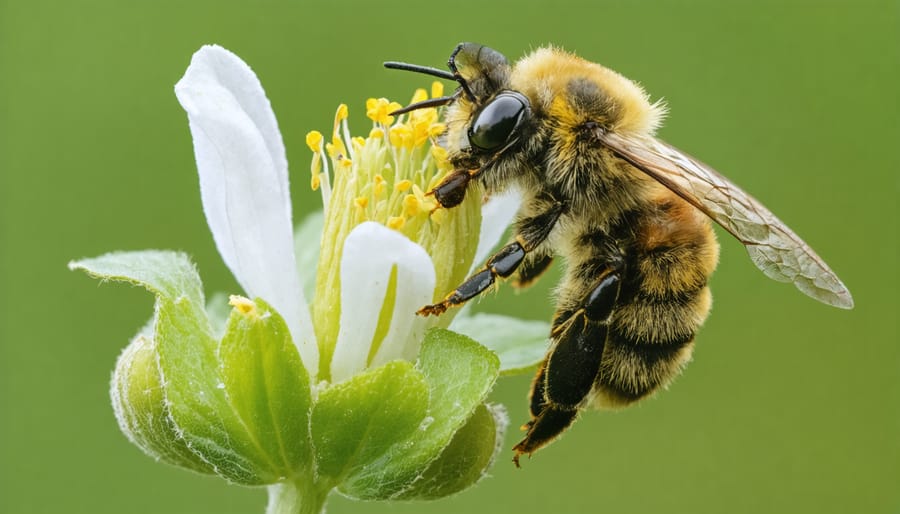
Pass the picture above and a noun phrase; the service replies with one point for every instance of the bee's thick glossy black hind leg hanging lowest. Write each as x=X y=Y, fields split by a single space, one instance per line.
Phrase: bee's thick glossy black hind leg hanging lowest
x=568 y=375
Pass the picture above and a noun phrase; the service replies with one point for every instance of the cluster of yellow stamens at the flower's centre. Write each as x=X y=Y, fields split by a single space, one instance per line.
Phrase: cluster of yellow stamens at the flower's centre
x=385 y=177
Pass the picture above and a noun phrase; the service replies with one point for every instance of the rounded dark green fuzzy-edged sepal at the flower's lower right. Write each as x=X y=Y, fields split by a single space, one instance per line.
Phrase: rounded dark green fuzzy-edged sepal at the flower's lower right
x=466 y=460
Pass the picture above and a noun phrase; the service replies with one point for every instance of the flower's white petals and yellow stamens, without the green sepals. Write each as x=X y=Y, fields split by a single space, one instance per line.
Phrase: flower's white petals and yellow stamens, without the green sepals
x=371 y=278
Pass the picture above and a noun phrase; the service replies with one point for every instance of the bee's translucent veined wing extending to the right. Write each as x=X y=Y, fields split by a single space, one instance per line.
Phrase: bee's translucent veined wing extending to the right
x=773 y=247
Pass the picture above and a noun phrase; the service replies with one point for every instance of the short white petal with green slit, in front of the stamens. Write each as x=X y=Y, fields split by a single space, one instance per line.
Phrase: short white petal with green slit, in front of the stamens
x=371 y=251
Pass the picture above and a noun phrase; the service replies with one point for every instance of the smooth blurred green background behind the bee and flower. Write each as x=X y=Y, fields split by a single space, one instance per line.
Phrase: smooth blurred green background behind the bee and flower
x=789 y=405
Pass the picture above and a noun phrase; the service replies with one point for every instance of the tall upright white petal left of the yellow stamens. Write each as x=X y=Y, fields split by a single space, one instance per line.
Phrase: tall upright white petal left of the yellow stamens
x=244 y=184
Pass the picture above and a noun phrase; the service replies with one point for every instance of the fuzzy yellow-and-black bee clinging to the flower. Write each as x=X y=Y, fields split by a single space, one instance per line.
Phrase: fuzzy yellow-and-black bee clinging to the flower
x=628 y=213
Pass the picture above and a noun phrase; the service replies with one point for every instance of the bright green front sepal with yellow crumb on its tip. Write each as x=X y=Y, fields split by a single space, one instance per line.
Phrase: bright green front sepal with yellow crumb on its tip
x=267 y=387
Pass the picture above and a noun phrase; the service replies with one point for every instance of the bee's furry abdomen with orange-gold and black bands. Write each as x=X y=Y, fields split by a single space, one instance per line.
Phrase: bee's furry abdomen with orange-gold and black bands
x=663 y=302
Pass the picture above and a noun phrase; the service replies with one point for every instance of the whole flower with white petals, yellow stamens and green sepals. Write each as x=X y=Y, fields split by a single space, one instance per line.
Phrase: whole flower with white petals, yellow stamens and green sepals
x=357 y=395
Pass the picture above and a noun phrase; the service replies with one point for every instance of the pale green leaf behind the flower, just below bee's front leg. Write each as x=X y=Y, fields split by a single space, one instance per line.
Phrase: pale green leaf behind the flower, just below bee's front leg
x=520 y=344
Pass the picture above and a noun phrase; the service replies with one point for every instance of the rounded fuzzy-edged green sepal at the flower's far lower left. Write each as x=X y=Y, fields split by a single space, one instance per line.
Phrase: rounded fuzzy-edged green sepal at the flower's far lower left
x=139 y=403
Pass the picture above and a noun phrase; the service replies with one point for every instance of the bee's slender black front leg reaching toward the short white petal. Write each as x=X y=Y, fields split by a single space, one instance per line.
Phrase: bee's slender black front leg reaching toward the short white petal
x=532 y=231
